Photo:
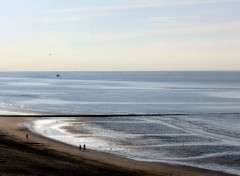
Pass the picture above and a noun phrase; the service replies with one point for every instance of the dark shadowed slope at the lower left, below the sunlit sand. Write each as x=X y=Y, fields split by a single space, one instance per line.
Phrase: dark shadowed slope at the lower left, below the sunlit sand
x=28 y=158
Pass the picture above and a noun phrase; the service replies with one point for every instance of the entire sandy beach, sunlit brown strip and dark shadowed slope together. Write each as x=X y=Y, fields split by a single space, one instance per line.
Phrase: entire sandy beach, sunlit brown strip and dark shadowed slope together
x=42 y=156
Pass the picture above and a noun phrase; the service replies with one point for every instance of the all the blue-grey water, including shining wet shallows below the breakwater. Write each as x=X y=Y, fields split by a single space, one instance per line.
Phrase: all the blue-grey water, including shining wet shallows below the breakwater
x=197 y=120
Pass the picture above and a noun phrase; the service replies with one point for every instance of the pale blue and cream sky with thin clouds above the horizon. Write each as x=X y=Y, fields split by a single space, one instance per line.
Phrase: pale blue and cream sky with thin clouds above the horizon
x=119 y=35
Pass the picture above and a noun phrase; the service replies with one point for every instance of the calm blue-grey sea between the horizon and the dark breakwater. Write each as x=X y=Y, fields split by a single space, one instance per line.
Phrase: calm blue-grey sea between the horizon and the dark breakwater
x=120 y=92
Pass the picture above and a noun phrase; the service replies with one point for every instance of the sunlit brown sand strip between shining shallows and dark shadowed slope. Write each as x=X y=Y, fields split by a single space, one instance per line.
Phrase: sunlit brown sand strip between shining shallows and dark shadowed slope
x=111 y=164
